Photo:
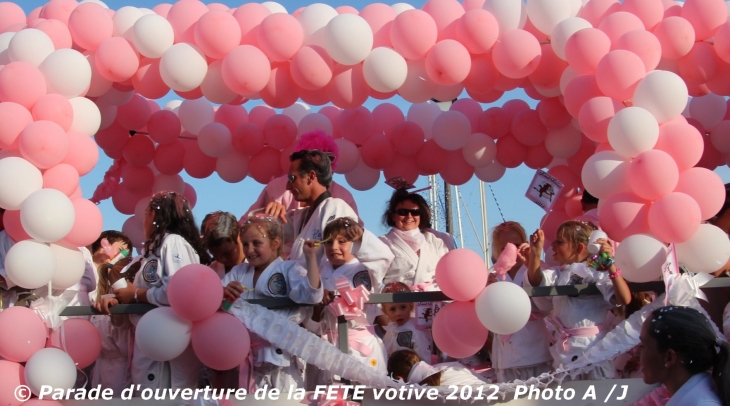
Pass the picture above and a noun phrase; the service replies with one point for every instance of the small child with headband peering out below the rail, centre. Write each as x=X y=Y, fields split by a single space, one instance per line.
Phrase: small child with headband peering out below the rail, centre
x=402 y=332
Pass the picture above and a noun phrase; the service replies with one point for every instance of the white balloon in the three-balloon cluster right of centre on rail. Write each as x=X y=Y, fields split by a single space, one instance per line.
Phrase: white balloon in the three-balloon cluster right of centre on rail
x=492 y=302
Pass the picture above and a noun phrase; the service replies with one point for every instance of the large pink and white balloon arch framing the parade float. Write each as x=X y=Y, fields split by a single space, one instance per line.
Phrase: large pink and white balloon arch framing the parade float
x=612 y=80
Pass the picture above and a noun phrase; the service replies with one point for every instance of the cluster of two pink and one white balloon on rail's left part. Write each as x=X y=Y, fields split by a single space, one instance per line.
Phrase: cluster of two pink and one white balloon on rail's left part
x=220 y=340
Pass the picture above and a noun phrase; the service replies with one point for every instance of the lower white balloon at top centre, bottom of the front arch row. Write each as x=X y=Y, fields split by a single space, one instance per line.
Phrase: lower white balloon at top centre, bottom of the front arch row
x=385 y=70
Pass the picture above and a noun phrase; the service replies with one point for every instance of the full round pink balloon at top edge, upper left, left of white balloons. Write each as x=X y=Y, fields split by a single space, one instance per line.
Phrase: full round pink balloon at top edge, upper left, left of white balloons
x=90 y=25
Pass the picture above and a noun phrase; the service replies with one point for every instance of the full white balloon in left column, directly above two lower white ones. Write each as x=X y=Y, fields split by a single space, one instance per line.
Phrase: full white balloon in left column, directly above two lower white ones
x=47 y=215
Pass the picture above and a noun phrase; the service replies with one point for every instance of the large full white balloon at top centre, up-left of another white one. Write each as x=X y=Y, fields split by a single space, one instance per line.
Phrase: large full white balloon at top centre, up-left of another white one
x=348 y=39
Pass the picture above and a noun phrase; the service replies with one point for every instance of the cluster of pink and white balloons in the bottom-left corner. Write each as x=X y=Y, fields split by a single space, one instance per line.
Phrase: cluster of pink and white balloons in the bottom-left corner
x=52 y=361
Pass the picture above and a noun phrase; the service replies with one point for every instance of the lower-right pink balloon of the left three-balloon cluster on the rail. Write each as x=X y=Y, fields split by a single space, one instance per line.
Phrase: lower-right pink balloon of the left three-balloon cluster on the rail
x=221 y=341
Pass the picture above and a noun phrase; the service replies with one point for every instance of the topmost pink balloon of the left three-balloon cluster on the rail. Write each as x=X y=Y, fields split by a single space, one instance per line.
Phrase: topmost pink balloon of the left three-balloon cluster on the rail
x=195 y=292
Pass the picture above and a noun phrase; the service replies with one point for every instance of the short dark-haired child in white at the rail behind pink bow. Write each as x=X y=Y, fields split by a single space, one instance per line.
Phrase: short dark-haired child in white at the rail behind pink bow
x=341 y=268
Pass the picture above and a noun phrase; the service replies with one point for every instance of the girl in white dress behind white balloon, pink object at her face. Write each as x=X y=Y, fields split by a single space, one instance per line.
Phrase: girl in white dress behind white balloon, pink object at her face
x=524 y=354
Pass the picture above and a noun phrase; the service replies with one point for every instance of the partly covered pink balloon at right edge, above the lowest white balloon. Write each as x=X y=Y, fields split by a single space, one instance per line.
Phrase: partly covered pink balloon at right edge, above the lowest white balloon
x=705 y=187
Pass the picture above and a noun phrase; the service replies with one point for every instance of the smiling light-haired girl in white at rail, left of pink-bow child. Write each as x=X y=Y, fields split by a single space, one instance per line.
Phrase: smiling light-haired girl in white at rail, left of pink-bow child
x=267 y=275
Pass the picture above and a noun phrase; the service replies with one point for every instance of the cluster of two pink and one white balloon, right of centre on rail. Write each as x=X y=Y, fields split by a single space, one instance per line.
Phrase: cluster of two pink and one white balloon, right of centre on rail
x=461 y=327
